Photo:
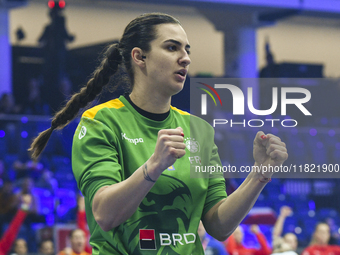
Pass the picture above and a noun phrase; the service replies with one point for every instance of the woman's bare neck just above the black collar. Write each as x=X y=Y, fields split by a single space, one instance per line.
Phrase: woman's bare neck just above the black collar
x=150 y=101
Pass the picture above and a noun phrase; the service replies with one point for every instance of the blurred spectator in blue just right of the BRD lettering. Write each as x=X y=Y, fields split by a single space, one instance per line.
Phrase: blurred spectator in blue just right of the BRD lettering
x=210 y=245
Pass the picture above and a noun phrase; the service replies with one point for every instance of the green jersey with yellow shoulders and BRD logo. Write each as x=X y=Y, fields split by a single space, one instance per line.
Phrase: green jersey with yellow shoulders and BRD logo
x=112 y=141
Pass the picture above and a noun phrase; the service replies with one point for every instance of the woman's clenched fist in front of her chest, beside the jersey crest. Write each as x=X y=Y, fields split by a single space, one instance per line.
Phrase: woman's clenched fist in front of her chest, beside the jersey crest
x=169 y=147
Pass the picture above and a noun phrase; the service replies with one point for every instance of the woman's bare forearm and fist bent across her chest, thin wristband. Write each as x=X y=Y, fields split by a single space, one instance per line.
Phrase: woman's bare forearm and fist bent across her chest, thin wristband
x=113 y=205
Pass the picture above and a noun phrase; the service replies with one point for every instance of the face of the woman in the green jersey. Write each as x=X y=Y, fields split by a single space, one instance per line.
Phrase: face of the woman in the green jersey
x=167 y=63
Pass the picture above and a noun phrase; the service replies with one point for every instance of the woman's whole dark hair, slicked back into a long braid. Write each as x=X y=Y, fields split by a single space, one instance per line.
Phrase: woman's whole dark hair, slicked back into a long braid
x=138 y=33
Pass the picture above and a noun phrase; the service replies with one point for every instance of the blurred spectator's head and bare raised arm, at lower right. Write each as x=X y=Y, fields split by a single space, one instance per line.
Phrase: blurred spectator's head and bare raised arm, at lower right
x=289 y=238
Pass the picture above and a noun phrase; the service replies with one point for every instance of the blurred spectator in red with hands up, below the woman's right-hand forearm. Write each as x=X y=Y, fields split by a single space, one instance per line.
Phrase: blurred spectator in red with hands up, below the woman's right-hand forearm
x=234 y=244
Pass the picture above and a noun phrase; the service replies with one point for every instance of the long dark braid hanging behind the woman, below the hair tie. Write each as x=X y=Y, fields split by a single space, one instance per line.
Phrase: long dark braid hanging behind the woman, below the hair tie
x=101 y=76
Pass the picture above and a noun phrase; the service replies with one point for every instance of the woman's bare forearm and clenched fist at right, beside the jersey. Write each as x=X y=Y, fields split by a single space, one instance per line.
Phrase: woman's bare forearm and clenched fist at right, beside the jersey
x=222 y=219
